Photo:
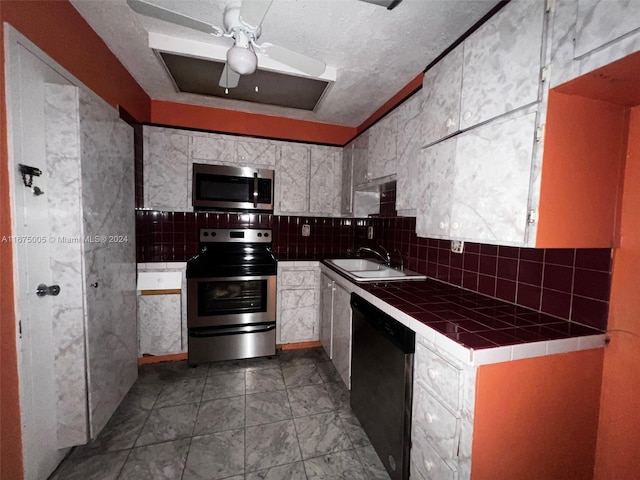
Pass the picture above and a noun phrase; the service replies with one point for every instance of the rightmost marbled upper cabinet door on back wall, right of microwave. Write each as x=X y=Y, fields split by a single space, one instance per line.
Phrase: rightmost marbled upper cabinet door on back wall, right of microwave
x=325 y=181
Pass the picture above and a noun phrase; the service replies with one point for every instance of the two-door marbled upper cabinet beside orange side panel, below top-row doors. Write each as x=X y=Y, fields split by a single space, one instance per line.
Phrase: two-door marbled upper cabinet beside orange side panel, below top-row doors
x=476 y=185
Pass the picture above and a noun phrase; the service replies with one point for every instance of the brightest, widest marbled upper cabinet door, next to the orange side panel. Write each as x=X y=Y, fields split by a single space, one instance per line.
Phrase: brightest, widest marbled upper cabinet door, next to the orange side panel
x=493 y=169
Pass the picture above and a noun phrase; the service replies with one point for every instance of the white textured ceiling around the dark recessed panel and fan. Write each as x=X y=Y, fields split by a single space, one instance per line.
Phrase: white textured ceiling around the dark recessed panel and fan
x=376 y=52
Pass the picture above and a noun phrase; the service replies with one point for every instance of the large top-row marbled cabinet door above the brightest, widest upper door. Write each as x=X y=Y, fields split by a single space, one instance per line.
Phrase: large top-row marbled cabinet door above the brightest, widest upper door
x=501 y=70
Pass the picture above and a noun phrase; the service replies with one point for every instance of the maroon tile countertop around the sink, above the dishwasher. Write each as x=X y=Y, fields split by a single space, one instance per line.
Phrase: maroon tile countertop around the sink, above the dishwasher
x=471 y=319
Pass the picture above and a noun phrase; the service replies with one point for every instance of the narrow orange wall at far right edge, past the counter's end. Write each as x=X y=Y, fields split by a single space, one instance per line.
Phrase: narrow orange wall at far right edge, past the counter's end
x=617 y=454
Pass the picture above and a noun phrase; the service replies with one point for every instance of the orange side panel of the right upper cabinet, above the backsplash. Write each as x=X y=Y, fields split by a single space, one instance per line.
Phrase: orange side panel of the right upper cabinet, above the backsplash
x=584 y=150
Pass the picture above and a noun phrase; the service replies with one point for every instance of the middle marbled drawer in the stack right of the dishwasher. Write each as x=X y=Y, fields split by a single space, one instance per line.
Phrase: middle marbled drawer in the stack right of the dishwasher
x=432 y=422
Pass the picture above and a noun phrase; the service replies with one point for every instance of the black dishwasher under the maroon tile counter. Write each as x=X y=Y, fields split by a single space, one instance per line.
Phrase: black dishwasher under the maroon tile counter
x=382 y=383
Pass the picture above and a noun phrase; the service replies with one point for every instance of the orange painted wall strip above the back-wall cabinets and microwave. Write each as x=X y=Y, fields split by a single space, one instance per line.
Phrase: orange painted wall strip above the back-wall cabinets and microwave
x=230 y=121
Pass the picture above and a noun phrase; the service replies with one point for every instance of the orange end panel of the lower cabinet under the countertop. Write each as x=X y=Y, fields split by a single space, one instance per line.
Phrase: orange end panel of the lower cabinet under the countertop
x=537 y=418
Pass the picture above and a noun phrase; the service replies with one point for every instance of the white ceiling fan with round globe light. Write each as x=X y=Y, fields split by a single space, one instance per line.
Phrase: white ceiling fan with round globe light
x=243 y=24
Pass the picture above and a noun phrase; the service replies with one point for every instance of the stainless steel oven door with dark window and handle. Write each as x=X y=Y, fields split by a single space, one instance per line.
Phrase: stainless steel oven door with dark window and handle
x=223 y=301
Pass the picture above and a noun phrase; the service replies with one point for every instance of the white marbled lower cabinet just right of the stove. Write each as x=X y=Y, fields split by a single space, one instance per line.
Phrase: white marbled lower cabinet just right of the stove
x=298 y=299
